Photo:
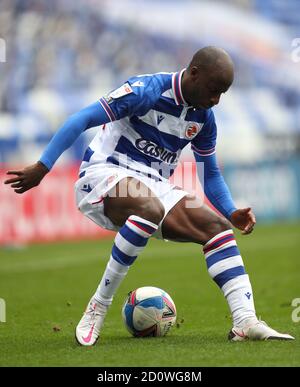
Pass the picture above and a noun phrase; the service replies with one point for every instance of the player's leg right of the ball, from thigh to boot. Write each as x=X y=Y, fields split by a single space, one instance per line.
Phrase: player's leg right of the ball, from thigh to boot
x=224 y=262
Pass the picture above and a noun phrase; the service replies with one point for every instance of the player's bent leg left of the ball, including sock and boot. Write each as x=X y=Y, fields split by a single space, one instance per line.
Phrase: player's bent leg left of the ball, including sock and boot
x=135 y=209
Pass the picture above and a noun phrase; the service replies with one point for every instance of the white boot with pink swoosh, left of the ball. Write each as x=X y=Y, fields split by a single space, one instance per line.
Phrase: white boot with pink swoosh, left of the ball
x=88 y=328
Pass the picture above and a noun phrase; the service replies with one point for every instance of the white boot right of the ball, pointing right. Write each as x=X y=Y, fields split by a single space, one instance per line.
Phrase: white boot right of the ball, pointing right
x=256 y=330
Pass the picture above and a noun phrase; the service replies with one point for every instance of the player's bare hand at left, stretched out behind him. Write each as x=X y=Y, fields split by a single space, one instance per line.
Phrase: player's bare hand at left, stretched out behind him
x=27 y=178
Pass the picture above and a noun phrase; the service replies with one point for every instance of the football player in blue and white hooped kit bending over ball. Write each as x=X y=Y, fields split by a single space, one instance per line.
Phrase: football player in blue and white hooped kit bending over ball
x=123 y=183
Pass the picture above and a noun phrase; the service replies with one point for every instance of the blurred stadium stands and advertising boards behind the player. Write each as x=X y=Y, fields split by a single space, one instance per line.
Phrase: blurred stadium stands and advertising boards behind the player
x=61 y=56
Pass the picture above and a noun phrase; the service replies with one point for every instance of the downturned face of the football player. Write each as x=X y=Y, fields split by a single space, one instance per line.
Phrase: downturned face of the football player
x=206 y=90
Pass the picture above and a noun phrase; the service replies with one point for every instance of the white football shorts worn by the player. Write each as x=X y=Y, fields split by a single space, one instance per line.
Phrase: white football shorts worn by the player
x=91 y=189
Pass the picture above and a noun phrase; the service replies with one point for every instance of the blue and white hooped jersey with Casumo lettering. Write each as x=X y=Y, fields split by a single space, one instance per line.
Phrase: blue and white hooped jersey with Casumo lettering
x=149 y=125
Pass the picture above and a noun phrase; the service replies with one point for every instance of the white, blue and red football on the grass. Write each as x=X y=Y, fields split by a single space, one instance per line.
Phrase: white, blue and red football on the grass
x=149 y=311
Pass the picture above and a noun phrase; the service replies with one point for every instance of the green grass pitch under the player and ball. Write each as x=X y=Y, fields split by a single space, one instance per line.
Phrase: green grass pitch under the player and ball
x=46 y=289
